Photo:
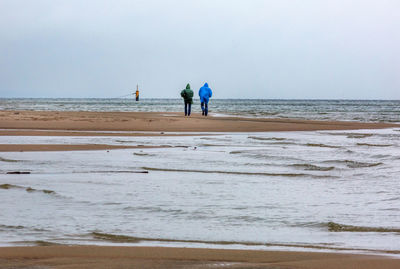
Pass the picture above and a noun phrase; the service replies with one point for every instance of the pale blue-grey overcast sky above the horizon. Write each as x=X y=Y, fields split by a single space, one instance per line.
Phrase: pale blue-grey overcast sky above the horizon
x=307 y=49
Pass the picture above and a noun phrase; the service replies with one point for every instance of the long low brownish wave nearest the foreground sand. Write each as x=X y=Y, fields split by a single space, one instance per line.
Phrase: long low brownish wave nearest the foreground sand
x=116 y=238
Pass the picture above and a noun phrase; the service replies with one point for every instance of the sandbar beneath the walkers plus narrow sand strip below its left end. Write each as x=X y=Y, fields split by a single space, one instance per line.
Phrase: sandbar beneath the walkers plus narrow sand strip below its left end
x=57 y=123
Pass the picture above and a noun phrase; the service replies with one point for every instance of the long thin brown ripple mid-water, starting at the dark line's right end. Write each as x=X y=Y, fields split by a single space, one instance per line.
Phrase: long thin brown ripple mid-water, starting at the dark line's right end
x=236 y=173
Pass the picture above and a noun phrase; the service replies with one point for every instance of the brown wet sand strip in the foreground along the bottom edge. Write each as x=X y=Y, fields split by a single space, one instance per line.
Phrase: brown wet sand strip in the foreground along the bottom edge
x=158 y=257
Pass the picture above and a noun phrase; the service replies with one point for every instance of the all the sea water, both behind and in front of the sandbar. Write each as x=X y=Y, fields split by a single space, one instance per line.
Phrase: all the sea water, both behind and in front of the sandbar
x=330 y=191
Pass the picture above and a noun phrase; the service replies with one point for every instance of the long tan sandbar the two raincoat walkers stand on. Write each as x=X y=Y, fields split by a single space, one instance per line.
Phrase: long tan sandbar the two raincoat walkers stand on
x=163 y=122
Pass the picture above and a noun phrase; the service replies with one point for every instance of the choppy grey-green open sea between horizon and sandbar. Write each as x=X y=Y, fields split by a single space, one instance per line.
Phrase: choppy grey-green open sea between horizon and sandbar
x=350 y=110
